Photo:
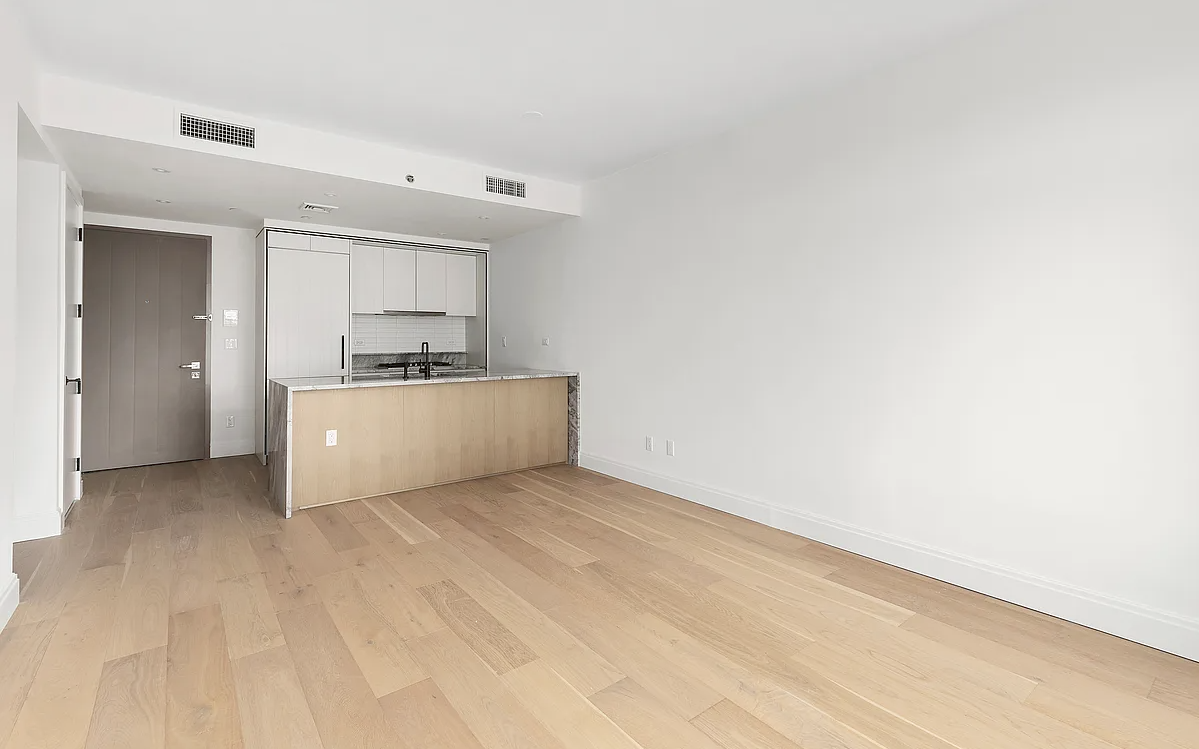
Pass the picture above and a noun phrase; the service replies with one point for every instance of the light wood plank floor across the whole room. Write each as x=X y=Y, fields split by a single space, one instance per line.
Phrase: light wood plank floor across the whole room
x=549 y=609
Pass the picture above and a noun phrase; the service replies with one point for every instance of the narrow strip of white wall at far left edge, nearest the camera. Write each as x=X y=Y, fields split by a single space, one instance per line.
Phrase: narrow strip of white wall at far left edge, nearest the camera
x=17 y=88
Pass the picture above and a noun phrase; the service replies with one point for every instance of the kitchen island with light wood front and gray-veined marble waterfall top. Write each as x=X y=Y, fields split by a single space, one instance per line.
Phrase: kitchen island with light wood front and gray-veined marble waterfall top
x=394 y=434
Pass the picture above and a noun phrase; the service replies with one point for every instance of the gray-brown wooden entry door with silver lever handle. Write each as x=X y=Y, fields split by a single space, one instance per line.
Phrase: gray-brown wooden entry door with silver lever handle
x=144 y=354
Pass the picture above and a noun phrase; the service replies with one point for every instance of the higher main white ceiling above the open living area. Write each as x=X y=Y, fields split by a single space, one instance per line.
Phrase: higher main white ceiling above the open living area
x=618 y=81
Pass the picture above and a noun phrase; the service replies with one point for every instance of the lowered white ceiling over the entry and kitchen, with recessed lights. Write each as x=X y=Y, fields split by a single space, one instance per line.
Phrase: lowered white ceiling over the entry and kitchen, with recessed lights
x=118 y=177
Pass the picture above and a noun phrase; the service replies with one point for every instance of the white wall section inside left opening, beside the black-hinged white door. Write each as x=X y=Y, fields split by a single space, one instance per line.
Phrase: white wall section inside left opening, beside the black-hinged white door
x=37 y=472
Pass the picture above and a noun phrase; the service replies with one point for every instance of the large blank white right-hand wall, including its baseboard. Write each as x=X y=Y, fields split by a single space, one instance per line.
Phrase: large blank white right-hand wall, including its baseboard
x=947 y=316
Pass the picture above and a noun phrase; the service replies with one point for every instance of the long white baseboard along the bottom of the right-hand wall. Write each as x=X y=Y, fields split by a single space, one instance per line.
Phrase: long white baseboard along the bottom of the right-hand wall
x=1161 y=630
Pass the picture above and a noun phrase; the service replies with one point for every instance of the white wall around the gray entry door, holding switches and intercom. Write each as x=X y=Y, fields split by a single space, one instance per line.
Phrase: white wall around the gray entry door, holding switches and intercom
x=231 y=372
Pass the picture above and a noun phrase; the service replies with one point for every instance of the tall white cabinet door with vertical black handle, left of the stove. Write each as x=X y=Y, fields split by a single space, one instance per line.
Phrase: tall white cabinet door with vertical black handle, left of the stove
x=308 y=315
